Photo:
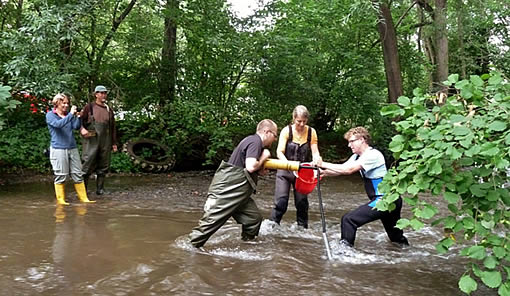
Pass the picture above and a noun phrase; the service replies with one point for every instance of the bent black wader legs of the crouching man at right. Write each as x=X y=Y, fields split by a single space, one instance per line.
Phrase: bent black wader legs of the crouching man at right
x=365 y=214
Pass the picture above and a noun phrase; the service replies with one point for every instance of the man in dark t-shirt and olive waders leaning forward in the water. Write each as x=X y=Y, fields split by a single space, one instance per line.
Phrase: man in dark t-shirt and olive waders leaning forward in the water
x=232 y=185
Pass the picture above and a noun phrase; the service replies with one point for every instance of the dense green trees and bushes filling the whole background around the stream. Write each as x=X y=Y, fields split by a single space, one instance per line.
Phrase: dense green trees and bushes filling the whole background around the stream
x=196 y=77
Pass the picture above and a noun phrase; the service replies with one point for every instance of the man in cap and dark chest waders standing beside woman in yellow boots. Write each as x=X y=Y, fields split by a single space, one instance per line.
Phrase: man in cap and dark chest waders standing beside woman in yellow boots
x=99 y=138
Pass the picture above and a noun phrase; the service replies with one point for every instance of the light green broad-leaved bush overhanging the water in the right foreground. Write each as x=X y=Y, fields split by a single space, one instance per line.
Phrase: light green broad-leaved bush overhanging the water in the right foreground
x=458 y=148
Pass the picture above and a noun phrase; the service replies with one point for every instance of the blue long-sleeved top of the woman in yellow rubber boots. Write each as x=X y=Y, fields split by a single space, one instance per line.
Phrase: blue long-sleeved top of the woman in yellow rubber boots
x=61 y=129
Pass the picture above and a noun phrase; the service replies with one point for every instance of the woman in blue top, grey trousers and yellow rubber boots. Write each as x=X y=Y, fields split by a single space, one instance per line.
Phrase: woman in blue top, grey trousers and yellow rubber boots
x=64 y=155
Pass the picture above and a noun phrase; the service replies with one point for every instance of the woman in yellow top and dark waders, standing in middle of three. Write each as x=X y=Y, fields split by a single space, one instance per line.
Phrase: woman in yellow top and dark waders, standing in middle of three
x=297 y=142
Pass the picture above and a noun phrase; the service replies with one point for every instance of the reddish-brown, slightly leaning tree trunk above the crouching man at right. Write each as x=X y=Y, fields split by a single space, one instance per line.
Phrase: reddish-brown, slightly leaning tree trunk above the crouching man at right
x=388 y=37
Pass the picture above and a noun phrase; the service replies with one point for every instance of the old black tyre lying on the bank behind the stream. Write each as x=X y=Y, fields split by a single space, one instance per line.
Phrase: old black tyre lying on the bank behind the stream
x=150 y=155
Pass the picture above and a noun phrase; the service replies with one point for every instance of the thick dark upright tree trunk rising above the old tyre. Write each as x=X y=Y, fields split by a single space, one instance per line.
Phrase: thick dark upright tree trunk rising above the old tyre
x=168 y=71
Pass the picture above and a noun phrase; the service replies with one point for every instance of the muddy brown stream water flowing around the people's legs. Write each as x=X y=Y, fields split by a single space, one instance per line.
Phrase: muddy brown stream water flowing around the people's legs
x=133 y=241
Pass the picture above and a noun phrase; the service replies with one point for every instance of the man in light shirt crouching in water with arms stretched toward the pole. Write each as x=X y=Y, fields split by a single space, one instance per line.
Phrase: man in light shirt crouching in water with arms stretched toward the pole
x=372 y=167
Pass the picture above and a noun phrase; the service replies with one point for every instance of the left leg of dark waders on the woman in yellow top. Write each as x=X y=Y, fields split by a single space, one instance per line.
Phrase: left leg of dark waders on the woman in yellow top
x=281 y=195
